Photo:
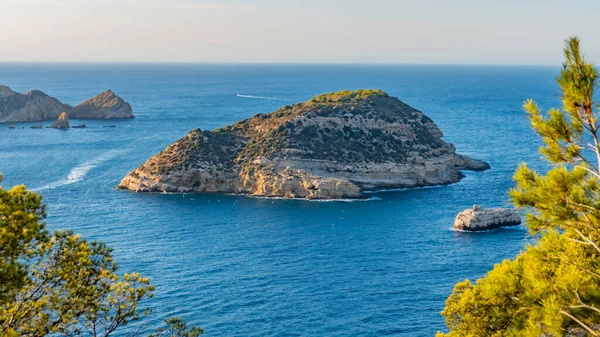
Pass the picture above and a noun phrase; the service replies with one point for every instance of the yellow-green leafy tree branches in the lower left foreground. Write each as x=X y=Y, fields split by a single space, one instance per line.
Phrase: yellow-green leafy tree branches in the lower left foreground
x=61 y=284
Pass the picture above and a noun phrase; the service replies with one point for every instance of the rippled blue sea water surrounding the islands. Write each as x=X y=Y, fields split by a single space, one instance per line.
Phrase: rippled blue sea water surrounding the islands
x=241 y=266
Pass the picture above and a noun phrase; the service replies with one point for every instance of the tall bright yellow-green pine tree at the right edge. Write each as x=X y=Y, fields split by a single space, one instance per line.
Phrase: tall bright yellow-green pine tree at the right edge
x=553 y=287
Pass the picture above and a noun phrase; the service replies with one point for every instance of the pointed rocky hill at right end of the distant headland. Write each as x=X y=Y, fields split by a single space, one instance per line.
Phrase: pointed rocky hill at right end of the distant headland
x=106 y=105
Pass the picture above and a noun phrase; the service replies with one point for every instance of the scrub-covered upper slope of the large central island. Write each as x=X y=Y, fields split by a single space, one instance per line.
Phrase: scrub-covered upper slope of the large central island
x=327 y=127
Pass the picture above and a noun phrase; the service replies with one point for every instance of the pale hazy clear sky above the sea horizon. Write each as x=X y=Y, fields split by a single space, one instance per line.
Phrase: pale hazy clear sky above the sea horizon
x=304 y=31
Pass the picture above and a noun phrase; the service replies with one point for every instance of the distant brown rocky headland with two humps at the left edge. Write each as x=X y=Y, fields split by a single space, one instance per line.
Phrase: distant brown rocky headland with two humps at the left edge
x=37 y=106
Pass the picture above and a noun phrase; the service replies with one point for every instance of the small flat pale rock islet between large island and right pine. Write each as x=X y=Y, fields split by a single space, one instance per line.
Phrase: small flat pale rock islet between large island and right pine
x=479 y=219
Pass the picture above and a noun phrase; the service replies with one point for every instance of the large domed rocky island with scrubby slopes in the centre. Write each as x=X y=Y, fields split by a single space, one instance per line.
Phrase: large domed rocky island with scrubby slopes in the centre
x=333 y=146
